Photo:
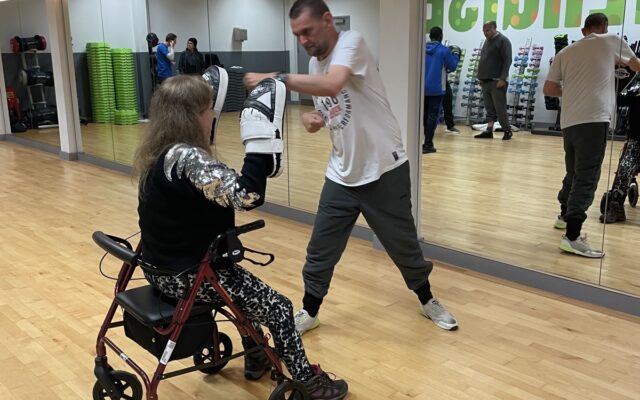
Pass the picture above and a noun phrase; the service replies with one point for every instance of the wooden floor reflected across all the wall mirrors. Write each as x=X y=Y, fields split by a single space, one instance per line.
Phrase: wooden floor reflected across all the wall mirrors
x=494 y=199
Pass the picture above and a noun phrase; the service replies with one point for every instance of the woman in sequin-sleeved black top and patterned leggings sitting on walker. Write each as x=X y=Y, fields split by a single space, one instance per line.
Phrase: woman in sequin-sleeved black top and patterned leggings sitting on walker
x=187 y=198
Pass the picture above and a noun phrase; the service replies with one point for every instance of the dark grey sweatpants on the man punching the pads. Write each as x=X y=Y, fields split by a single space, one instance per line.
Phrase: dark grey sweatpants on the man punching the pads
x=386 y=205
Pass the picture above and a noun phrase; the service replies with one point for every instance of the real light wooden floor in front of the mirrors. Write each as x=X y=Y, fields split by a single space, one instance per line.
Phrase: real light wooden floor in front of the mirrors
x=513 y=343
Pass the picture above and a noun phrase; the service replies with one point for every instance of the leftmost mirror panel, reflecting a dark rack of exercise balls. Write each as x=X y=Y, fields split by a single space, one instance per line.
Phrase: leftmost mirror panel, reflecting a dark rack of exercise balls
x=27 y=69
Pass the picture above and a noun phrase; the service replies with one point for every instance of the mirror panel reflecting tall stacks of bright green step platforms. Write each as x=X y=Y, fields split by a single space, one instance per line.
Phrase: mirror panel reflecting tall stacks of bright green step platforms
x=112 y=80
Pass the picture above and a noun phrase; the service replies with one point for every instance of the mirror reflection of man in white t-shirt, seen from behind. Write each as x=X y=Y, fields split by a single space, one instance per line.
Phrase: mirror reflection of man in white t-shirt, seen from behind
x=583 y=74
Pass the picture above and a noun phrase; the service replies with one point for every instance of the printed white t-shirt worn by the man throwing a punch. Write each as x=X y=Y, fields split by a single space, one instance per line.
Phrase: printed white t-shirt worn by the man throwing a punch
x=364 y=132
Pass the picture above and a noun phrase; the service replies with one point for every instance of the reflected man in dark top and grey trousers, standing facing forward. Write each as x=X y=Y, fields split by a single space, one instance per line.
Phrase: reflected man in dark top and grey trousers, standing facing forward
x=493 y=73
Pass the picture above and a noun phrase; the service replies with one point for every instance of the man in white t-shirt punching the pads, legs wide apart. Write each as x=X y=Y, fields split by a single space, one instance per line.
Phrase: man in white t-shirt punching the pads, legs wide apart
x=368 y=171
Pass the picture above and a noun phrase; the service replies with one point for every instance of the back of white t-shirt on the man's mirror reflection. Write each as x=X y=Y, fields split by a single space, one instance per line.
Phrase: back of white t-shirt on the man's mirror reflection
x=586 y=71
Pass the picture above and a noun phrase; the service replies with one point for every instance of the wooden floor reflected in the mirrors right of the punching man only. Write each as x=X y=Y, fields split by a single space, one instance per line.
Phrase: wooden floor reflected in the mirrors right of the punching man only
x=498 y=200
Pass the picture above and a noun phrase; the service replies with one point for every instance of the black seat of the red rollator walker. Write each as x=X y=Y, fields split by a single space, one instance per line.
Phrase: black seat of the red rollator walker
x=151 y=308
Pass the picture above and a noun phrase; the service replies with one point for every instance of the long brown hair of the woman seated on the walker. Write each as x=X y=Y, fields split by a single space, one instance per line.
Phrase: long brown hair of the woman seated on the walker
x=175 y=107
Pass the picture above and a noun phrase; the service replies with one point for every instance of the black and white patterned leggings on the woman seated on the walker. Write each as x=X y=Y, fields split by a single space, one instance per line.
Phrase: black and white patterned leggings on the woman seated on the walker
x=260 y=303
